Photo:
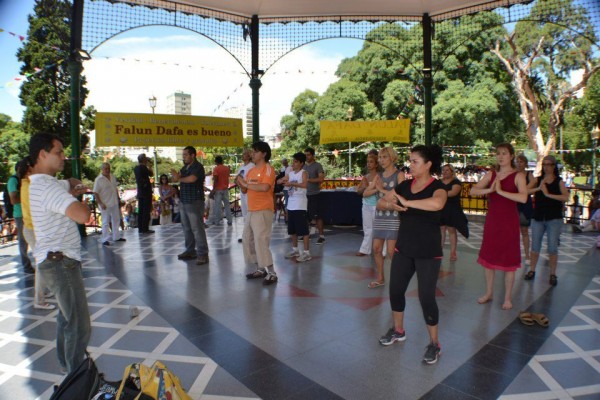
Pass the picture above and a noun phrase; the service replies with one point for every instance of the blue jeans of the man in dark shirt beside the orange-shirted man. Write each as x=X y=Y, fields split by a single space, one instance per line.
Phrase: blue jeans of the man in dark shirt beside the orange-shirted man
x=192 y=220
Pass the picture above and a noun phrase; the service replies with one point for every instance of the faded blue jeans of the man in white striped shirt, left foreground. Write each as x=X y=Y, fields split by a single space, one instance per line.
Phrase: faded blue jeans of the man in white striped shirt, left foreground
x=73 y=325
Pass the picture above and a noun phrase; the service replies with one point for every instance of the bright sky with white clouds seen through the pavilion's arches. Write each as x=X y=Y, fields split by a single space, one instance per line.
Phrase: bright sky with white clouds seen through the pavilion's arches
x=128 y=69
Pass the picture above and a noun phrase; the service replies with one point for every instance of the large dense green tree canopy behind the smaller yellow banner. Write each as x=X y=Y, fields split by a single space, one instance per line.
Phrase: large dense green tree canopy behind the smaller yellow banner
x=472 y=94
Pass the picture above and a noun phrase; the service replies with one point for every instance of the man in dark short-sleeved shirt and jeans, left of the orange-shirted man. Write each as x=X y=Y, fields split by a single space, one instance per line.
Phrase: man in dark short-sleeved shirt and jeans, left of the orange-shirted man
x=191 y=179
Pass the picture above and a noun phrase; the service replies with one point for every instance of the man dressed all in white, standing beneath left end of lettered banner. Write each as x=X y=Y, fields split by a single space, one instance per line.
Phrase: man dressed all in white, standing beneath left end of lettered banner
x=106 y=191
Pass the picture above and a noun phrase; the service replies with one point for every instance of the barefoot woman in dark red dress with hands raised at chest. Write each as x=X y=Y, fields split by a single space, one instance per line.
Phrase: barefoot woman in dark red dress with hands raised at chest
x=500 y=249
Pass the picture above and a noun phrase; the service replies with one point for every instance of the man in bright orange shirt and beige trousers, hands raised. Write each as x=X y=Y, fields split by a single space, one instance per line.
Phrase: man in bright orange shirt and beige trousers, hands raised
x=258 y=184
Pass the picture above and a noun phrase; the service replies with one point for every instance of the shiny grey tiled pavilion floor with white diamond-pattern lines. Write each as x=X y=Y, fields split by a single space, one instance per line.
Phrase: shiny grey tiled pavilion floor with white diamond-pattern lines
x=314 y=334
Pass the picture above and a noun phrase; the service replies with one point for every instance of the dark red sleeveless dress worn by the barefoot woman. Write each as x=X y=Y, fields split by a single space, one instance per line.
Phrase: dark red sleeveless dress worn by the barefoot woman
x=501 y=247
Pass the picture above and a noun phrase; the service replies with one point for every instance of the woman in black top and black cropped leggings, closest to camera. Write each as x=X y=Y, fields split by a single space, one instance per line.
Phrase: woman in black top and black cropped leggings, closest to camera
x=419 y=246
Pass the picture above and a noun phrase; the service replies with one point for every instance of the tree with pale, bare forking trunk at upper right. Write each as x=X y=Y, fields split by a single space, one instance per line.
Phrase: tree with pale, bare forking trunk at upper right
x=556 y=39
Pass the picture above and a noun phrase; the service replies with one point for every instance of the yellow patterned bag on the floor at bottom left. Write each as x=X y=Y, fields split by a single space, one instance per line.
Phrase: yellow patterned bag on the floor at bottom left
x=157 y=382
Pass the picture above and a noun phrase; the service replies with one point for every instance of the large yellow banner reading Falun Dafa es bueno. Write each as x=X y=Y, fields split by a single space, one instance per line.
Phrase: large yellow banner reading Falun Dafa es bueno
x=141 y=130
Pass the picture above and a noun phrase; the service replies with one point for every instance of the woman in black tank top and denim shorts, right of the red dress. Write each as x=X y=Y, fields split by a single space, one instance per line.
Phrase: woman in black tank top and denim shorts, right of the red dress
x=550 y=195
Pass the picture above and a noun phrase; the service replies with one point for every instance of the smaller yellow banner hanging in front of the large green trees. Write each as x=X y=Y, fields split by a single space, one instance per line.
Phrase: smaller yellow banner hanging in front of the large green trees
x=365 y=131
